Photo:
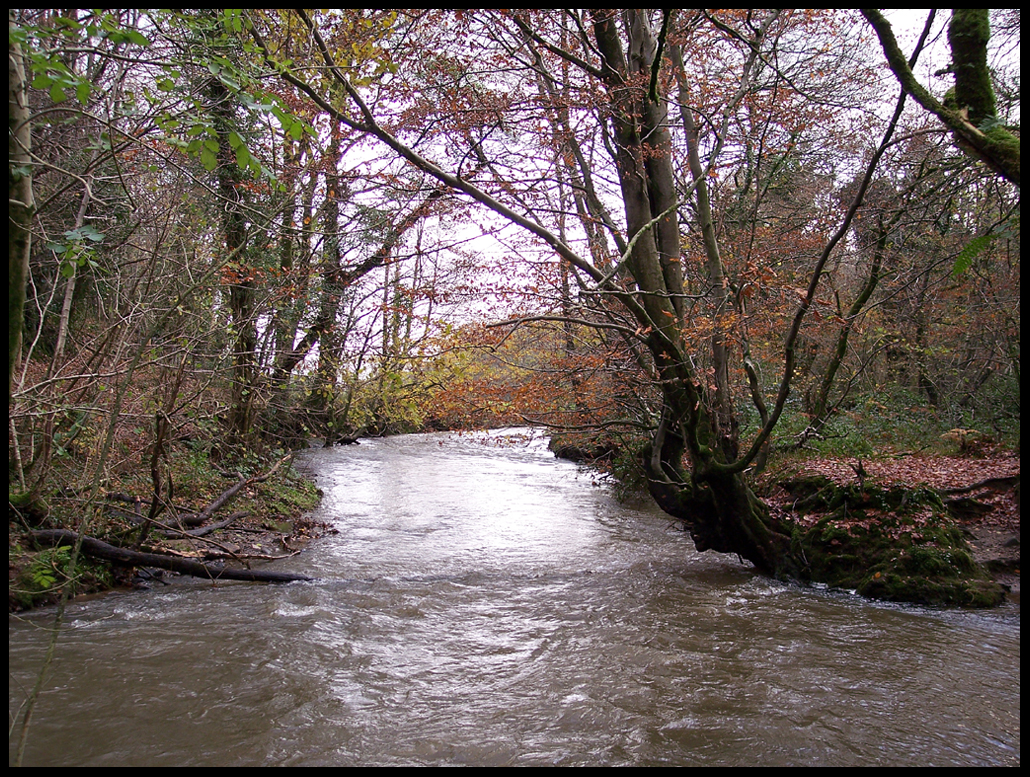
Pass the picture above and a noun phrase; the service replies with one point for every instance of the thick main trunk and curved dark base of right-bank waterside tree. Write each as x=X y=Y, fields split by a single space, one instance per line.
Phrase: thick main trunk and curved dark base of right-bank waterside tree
x=713 y=500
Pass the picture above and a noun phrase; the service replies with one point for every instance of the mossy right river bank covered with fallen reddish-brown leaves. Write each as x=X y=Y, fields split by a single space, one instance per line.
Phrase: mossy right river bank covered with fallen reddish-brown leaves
x=931 y=529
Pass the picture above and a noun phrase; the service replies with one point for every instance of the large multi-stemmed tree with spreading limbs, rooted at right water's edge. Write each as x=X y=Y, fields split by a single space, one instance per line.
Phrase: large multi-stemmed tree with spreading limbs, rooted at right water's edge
x=713 y=497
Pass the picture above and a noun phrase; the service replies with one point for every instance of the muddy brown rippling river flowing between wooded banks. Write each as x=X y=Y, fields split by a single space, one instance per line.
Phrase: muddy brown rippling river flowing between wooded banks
x=485 y=604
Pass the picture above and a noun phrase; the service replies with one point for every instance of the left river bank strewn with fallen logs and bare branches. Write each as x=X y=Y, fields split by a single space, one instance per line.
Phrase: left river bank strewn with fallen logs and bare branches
x=254 y=516
